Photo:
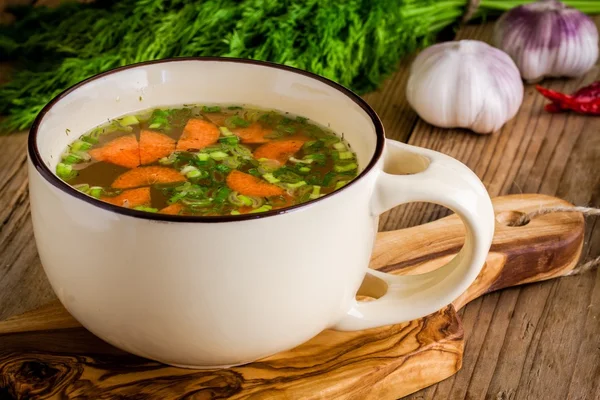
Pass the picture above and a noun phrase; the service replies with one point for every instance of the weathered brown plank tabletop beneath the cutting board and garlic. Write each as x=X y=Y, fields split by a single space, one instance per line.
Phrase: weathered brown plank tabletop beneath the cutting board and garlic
x=540 y=341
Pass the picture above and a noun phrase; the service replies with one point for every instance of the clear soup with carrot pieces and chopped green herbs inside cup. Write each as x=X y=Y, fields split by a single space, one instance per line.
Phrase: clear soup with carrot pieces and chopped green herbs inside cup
x=208 y=161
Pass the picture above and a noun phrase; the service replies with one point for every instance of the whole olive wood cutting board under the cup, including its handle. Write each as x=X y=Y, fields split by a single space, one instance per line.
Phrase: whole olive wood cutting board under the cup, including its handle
x=46 y=354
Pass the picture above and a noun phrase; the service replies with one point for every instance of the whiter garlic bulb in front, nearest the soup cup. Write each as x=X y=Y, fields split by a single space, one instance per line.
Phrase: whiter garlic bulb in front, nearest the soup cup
x=465 y=84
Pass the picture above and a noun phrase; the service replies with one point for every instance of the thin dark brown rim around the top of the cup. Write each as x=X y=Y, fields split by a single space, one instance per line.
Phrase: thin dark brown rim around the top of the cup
x=52 y=178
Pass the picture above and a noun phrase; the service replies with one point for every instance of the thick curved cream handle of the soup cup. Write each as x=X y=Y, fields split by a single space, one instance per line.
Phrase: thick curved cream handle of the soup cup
x=443 y=181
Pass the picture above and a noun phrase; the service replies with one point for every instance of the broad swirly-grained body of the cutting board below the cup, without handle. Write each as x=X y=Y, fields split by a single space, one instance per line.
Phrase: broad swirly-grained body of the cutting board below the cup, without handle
x=70 y=363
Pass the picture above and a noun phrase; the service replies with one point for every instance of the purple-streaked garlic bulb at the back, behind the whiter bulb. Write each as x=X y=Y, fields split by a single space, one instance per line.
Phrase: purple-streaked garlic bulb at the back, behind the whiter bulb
x=548 y=39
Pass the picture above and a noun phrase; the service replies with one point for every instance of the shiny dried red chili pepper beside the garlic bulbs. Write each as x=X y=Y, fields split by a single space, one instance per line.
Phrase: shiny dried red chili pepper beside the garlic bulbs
x=584 y=101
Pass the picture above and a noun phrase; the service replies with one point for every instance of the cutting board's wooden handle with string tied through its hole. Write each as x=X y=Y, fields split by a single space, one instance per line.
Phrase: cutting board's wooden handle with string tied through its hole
x=548 y=246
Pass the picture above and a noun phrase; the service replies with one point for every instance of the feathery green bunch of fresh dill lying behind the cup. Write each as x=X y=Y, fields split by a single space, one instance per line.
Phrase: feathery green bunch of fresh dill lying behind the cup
x=354 y=42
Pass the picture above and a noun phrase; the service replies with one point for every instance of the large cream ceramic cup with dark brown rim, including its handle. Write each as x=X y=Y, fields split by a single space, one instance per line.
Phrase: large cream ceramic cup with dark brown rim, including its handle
x=220 y=291
